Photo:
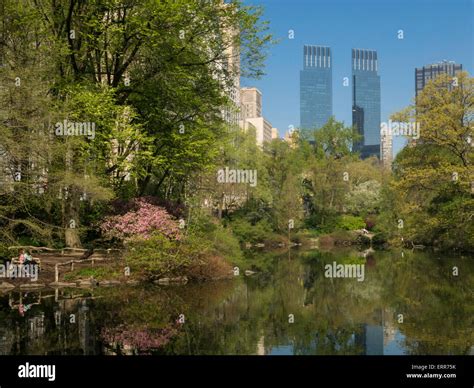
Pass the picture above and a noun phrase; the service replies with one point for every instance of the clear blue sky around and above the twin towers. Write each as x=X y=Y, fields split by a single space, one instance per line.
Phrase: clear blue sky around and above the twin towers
x=434 y=30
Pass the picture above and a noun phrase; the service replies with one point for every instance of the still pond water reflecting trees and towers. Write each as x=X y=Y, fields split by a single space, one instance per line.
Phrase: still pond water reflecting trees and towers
x=419 y=303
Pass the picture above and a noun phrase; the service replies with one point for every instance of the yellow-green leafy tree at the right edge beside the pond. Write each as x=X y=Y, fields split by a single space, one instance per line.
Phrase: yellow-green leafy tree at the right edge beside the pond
x=432 y=187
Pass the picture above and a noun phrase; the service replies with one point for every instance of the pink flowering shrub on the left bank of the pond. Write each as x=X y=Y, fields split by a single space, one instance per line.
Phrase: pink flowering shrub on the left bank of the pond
x=141 y=221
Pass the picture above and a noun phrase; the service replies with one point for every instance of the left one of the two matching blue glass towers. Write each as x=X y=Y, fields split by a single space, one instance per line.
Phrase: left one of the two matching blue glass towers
x=315 y=87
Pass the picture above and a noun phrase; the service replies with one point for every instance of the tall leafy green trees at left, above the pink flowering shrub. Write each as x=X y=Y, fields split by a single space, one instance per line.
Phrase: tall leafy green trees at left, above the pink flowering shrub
x=148 y=74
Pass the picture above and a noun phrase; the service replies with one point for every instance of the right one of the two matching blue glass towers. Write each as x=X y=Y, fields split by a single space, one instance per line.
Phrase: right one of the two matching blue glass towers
x=366 y=102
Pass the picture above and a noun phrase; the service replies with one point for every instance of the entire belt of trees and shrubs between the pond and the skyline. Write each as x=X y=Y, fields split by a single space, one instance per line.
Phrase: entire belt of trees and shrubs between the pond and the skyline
x=149 y=181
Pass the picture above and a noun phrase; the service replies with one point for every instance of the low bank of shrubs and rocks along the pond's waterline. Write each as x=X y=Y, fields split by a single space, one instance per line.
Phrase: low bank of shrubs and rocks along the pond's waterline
x=112 y=267
